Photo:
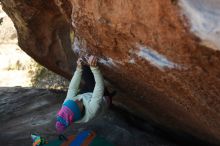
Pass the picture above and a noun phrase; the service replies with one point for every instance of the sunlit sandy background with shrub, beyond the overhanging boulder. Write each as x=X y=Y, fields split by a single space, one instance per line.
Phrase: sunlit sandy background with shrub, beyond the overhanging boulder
x=17 y=68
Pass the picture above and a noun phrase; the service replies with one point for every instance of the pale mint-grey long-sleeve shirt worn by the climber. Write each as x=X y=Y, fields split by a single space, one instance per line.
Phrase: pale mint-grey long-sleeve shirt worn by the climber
x=93 y=102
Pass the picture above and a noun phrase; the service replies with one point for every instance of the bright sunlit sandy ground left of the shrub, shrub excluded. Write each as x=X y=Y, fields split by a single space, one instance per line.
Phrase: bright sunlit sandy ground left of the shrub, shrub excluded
x=12 y=59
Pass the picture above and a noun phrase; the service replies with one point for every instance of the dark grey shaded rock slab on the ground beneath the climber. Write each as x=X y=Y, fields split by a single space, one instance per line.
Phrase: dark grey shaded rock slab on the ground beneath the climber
x=26 y=110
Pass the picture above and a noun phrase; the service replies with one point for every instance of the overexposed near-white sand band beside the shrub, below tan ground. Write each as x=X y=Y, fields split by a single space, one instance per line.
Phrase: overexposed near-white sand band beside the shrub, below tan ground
x=12 y=69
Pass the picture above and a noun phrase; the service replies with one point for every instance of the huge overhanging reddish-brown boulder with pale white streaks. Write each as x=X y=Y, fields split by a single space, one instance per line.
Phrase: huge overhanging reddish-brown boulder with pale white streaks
x=151 y=50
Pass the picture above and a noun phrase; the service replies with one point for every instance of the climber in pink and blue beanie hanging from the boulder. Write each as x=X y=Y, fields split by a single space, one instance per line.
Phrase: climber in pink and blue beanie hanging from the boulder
x=83 y=107
